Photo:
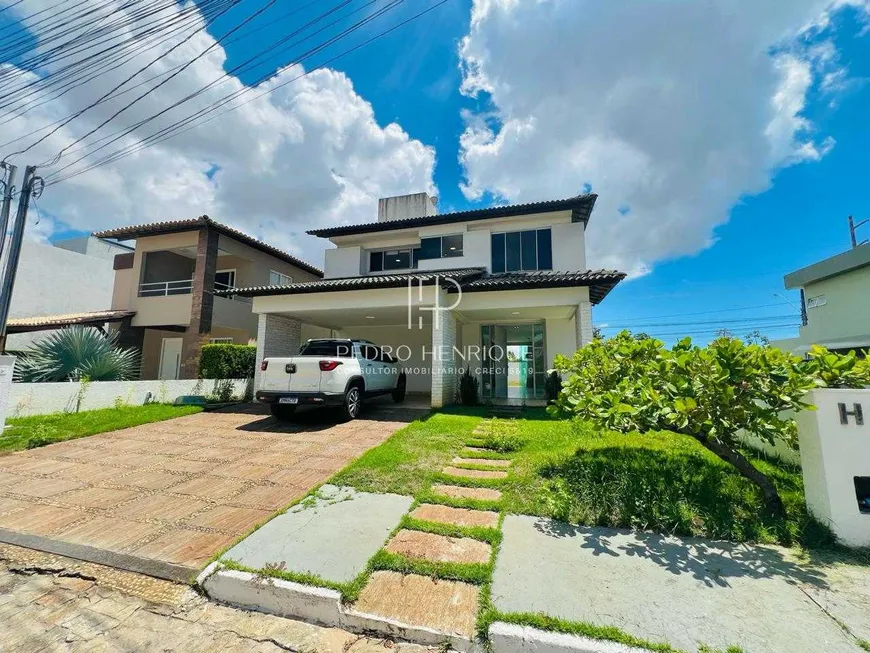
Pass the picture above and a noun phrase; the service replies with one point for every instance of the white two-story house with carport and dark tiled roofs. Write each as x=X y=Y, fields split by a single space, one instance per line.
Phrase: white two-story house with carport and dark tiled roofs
x=499 y=291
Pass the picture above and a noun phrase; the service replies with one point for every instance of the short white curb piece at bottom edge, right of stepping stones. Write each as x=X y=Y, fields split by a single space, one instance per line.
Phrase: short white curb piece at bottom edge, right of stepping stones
x=510 y=638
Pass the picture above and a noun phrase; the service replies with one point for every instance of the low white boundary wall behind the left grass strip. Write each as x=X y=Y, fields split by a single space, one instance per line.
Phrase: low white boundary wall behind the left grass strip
x=27 y=399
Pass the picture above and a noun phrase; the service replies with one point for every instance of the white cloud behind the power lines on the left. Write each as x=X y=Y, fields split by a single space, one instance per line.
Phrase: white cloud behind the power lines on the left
x=309 y=154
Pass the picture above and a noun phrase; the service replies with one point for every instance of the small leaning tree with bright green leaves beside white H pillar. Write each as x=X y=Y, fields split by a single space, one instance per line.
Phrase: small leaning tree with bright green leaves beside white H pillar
x=707 y=393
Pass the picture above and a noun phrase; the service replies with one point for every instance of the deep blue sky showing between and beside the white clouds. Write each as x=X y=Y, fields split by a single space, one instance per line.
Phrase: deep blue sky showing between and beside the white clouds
x=412 y=77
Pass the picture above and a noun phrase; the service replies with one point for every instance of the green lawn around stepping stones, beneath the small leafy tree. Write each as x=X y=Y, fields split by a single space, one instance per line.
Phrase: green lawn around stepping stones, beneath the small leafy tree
x=657 y=481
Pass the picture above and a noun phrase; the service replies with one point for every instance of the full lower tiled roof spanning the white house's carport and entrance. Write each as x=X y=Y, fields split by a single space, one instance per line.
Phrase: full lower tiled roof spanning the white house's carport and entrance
x=600 y=282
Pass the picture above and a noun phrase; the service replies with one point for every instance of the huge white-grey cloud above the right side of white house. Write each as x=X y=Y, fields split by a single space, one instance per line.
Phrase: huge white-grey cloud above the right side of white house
x=671 y=110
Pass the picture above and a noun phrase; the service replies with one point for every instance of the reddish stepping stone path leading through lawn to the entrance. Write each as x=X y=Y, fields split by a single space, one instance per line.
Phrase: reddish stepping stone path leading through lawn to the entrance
x=444 y=605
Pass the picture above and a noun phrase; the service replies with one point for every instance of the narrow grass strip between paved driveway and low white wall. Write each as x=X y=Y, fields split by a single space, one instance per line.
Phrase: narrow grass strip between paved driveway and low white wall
x=40 y=430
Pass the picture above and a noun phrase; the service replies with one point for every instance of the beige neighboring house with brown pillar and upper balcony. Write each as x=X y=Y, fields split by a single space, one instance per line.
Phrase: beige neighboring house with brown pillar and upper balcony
x=167 y=284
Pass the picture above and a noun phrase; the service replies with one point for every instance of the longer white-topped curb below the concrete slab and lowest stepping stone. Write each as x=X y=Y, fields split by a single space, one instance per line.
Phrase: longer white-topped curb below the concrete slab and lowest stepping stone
x=315 y=605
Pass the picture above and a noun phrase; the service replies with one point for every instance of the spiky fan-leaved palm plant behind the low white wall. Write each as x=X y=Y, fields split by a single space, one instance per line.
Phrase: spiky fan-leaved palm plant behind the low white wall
x=75 y=353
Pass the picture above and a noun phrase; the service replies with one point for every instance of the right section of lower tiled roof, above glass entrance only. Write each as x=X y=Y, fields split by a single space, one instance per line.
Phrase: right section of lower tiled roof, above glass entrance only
x=600 y=282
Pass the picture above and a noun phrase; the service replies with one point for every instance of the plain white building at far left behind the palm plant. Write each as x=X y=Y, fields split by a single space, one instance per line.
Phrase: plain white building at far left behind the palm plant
x=56 y=284
